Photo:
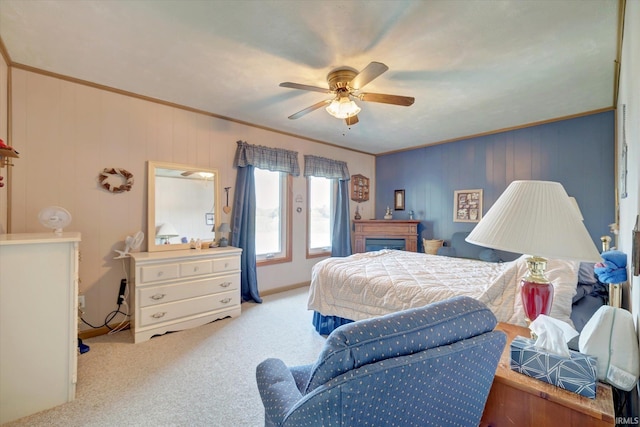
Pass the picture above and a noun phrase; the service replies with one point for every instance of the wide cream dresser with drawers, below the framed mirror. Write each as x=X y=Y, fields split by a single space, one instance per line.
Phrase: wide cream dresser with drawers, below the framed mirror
x=177 y=290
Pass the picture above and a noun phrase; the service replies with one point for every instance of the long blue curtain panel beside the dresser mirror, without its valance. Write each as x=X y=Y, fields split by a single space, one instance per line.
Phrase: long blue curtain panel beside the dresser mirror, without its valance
x=244 y=232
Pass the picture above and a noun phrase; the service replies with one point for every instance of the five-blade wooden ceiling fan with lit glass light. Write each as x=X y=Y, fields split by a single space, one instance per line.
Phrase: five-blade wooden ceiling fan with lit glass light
x=345 y=84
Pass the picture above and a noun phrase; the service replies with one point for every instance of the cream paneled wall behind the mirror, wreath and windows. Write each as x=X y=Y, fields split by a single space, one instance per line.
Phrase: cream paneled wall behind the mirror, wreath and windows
x=67 y=133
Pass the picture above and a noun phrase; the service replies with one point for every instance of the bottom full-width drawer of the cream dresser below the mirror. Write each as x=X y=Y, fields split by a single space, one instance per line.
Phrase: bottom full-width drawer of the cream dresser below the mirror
x=175 y=310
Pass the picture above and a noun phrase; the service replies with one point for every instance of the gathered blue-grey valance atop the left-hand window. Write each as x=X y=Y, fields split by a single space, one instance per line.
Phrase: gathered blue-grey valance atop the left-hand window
x=273 y=159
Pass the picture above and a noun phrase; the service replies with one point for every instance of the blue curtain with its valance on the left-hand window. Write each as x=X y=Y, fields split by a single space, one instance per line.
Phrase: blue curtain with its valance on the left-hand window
x=243 y=236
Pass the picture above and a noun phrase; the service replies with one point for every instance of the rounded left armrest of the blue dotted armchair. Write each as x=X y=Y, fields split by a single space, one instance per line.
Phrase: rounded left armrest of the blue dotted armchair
x=277 y=388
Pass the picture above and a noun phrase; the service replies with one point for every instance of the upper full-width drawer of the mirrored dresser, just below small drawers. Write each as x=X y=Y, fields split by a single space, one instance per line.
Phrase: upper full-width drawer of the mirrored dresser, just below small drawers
x=154 y=295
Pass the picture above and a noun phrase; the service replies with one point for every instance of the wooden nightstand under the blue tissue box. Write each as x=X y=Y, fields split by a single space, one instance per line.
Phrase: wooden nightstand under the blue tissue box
x=519 y=400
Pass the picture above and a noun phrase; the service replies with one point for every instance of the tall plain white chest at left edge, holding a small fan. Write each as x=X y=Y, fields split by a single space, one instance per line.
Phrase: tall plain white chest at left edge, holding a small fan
x=38 y=322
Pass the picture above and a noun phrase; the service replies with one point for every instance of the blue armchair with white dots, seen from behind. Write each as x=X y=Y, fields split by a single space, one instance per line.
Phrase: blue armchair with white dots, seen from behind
x=432 y=365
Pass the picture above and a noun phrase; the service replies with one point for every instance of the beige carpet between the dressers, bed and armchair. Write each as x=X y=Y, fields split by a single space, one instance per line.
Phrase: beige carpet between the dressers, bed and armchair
x=199 y=377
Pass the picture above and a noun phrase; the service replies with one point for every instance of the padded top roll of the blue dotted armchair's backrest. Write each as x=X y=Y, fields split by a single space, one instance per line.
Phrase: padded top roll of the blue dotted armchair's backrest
x=360 y=343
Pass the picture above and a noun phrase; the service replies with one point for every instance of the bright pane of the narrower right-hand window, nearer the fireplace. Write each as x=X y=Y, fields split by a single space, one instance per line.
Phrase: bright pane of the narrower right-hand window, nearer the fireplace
x=321 y=207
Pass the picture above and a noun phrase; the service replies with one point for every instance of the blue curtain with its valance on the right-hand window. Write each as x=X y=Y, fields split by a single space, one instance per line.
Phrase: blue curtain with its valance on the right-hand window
x=335 y=169
